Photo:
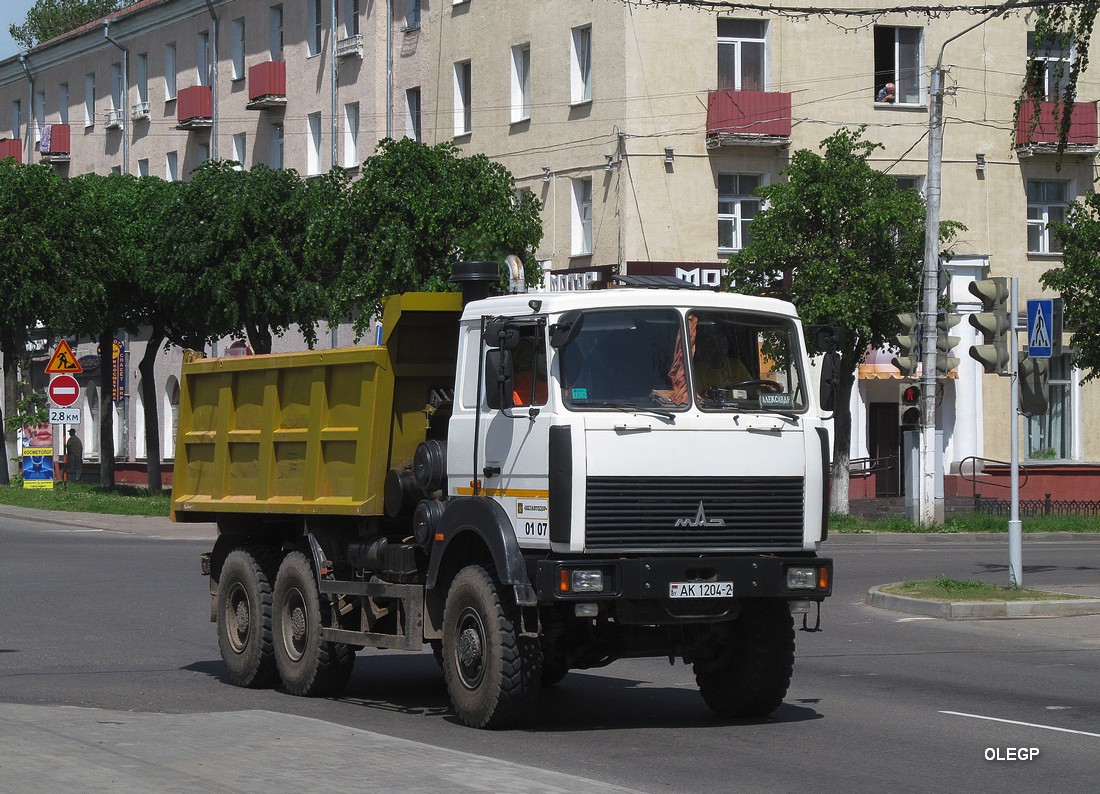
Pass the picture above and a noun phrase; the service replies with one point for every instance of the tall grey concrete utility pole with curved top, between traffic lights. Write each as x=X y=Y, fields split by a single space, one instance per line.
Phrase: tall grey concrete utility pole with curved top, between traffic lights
x=927 y=503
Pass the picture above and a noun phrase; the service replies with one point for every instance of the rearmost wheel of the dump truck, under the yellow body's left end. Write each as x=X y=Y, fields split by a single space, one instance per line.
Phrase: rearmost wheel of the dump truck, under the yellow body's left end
x=244 y=615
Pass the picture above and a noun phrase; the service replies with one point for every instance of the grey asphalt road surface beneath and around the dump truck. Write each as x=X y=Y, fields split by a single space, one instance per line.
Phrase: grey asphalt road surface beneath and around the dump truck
x=109 y=619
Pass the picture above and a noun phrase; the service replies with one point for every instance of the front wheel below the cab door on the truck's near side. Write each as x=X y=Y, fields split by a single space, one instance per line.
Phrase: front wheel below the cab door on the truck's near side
x=491 y=672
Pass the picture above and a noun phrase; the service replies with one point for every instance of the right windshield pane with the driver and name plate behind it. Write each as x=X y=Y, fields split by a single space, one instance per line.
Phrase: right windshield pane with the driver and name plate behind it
x=745 y=362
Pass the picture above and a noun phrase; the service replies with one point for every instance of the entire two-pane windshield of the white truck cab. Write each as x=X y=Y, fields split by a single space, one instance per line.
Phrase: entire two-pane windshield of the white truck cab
x=661 y=360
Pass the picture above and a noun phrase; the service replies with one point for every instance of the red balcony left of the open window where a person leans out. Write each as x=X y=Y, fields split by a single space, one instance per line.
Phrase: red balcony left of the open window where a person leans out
x=749 y=119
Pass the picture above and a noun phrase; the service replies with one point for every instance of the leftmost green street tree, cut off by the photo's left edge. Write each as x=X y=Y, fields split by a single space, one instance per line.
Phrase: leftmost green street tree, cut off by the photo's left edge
x=30 y=258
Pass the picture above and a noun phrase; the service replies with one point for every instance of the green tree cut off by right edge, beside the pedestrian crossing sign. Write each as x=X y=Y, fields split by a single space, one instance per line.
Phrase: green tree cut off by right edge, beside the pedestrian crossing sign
x=1079 y=281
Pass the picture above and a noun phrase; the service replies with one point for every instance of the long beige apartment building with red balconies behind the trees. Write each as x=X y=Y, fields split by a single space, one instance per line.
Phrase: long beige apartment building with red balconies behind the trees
x=643 y=128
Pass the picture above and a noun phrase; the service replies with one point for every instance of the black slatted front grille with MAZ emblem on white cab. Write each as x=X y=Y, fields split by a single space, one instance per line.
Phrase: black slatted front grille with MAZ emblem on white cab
x=687 y=514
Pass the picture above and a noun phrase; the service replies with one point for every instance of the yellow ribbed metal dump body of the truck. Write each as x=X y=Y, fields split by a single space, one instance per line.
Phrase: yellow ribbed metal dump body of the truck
x=313 y=433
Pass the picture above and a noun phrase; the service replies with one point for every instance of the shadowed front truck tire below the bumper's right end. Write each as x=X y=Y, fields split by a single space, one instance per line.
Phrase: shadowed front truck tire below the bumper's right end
x=754 y=671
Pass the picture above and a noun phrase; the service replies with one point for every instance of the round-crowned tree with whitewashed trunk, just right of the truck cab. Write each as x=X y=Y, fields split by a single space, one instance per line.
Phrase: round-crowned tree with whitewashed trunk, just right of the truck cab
x=840 y=223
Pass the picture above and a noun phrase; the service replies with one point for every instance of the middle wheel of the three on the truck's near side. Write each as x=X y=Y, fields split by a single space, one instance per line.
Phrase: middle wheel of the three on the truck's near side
x=307 y=665
